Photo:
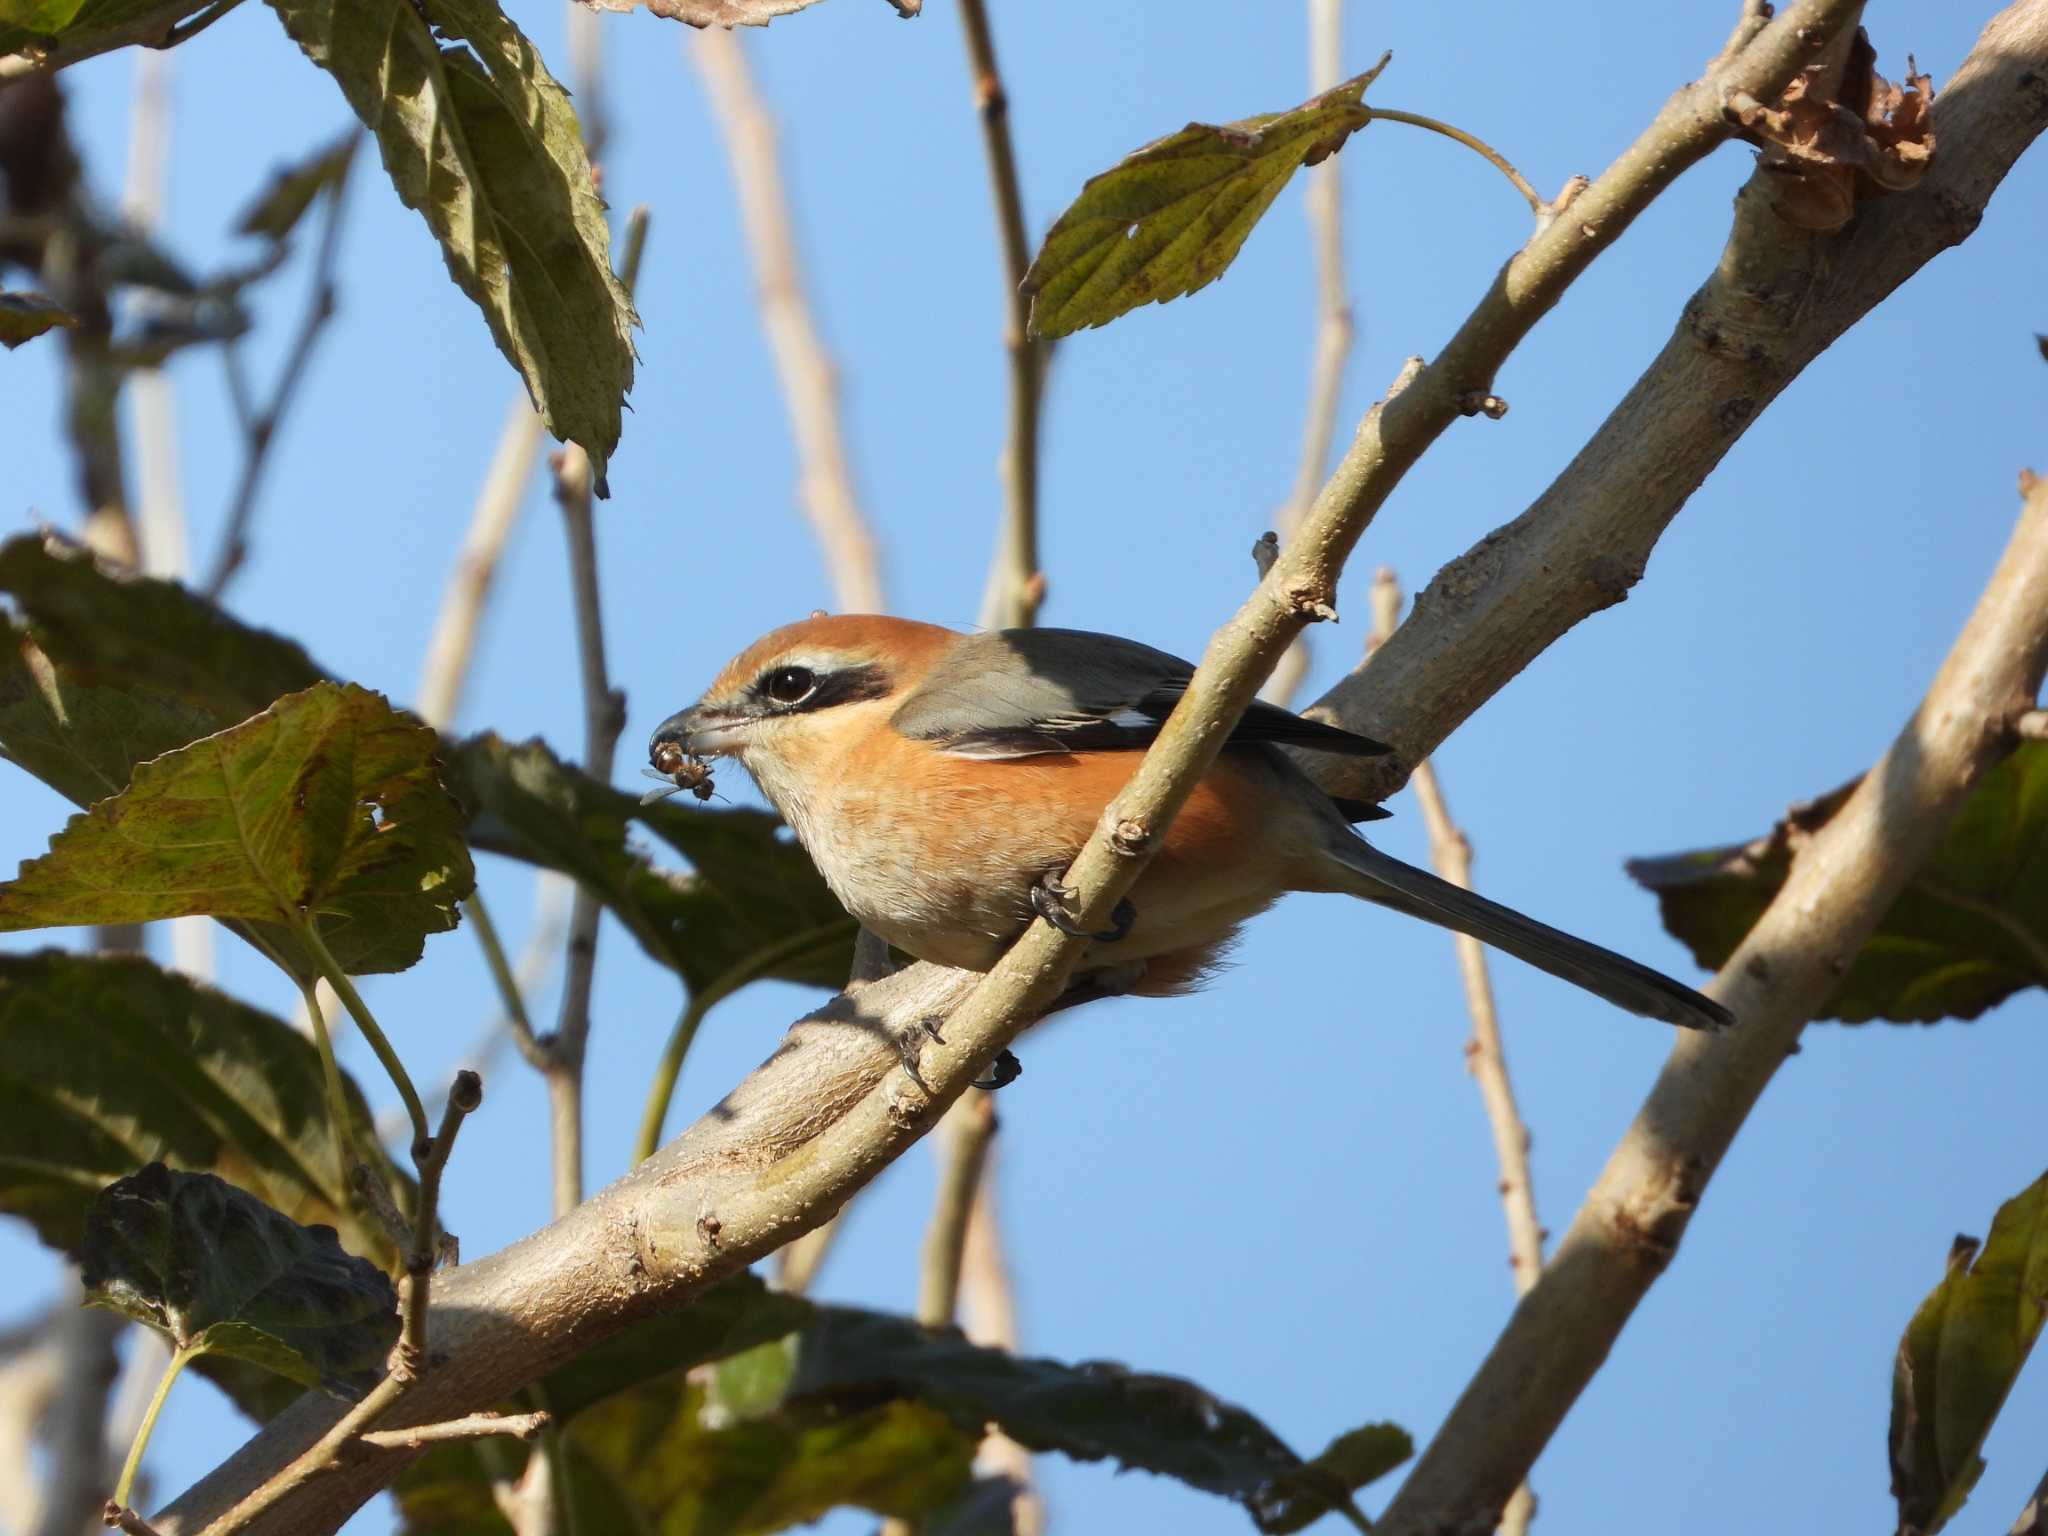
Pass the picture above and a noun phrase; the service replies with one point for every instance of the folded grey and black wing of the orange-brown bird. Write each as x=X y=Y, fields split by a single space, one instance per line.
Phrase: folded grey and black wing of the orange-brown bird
x=1023 y=693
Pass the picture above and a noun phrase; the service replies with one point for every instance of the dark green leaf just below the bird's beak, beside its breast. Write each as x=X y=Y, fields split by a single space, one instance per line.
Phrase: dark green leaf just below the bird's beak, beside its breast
x=753 y=906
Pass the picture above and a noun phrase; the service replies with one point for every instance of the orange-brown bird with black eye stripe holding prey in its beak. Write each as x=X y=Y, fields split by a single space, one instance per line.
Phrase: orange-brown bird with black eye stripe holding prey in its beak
x=945 y=781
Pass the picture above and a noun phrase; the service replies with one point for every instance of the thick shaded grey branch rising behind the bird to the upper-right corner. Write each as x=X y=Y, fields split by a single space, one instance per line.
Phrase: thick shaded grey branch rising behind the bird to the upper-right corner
x=1775 y=304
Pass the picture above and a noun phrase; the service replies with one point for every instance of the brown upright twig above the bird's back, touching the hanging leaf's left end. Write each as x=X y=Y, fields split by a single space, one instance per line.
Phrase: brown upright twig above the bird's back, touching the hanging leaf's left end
x=1017 y=583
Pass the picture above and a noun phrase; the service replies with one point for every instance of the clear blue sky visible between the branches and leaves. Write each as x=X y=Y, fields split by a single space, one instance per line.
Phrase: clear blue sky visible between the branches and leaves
x=1281 y=1189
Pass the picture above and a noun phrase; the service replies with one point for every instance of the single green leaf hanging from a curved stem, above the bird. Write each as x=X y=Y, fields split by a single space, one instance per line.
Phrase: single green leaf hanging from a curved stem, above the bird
x=1170 y=218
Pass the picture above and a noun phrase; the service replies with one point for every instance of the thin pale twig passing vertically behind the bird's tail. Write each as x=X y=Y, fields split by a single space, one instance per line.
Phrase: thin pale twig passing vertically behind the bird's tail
x=1451 y=851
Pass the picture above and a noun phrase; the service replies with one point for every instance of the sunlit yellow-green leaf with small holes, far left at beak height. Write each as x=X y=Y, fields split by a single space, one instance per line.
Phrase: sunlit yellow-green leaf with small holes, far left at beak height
x=327 y=806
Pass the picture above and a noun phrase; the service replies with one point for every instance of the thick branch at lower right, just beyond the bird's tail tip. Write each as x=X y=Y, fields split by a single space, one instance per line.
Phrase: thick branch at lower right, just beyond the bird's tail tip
x=1838 y=890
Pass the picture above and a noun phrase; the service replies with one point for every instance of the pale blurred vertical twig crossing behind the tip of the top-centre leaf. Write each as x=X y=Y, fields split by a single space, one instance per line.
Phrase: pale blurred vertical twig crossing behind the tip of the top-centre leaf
x=1324 y=202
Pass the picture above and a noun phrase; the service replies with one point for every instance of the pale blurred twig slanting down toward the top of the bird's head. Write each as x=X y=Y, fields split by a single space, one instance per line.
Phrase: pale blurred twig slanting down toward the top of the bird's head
x=804 y=366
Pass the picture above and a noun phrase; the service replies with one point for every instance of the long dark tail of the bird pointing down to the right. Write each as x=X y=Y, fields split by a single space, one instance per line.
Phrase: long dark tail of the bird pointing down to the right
x=1379 y=878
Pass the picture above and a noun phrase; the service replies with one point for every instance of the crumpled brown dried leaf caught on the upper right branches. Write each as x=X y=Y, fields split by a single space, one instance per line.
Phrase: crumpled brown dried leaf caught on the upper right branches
x=1826 y=155
